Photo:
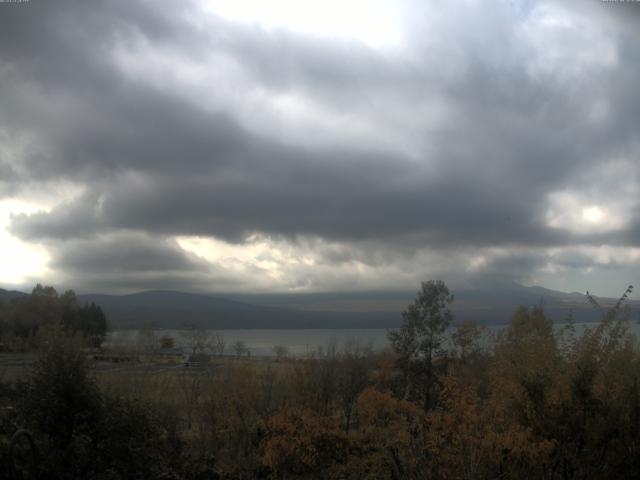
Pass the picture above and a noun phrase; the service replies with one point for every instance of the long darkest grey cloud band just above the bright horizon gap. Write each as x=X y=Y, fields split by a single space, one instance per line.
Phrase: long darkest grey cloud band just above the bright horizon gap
x=315 y=202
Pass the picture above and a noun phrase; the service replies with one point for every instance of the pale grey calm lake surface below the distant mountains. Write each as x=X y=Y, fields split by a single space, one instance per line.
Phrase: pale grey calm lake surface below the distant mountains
x=302 y=342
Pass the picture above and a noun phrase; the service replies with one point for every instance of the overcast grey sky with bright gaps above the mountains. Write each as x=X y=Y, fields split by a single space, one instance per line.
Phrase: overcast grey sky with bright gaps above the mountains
x=294 y=146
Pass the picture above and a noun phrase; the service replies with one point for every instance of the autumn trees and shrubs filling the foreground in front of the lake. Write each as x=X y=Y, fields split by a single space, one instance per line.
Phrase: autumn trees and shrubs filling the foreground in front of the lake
x=538 y=404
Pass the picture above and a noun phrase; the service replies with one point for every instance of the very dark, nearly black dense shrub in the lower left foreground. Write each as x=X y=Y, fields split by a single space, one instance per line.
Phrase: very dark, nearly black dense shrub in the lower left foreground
x=83 y=433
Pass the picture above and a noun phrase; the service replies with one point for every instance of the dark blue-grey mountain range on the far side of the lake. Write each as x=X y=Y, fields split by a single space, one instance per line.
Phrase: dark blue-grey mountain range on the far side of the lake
x=171 y=309
